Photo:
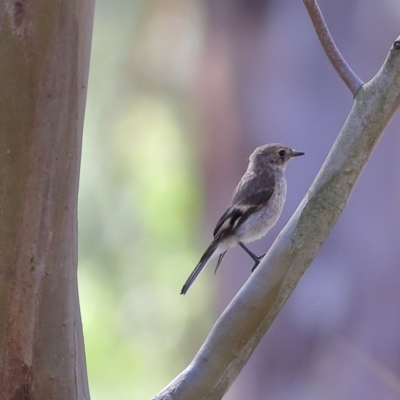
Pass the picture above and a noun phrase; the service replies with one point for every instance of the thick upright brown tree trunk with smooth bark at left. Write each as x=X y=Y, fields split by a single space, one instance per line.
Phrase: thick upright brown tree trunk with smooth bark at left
x=44 y=53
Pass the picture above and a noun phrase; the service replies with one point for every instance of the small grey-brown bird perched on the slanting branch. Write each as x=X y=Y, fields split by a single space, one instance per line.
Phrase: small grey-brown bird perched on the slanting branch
x=256 y=205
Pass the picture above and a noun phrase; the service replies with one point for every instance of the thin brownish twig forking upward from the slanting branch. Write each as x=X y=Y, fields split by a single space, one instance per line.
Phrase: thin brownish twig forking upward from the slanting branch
x=348 y=76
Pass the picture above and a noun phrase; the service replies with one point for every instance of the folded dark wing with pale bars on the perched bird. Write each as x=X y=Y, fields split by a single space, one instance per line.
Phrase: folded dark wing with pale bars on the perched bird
x=252 y=193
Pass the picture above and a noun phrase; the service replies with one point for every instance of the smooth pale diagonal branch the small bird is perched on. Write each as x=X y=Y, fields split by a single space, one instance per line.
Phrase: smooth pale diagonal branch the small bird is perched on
x=245 y=321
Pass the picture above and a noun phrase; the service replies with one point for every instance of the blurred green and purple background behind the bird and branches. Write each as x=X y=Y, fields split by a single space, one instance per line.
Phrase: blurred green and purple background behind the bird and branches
x=180 y=93
